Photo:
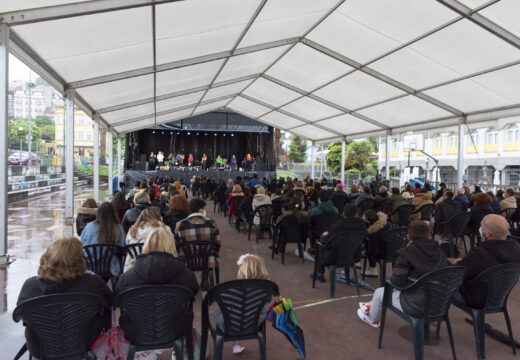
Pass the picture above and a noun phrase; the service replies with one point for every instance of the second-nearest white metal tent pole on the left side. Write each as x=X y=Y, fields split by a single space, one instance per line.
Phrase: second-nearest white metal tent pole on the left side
x=69 y=163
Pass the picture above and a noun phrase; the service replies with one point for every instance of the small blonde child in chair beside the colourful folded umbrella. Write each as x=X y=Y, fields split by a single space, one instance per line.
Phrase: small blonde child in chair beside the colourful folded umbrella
x=249 y=267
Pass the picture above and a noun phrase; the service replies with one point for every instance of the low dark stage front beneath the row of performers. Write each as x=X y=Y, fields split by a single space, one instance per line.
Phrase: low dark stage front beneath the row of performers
x=133 y=175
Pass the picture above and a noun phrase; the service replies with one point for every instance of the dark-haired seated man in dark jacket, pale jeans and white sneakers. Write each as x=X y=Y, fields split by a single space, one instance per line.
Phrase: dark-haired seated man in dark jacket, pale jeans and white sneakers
x=419 y=257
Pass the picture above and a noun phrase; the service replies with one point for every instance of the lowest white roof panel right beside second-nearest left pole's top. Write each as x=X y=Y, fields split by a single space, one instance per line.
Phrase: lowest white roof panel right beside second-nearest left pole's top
x=118 y=92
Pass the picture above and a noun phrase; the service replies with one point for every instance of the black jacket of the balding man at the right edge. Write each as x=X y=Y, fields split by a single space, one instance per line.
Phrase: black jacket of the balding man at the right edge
x=489 y=253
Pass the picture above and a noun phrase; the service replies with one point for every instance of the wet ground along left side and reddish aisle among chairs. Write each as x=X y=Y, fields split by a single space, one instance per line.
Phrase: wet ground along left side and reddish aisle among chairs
x=332 y=328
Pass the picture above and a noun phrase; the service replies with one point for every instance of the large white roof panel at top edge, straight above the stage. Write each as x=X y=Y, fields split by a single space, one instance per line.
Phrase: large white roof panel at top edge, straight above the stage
x=187 y=29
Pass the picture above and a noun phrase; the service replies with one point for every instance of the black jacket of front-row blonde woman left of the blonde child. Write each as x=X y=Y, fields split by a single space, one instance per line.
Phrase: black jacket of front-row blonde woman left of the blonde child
x=157 y=268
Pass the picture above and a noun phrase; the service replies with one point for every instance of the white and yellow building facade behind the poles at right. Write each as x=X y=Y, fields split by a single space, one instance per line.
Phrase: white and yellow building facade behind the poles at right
x=491 y=153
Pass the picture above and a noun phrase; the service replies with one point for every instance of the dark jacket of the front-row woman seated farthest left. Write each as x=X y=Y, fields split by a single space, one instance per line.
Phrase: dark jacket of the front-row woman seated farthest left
x=86 y=283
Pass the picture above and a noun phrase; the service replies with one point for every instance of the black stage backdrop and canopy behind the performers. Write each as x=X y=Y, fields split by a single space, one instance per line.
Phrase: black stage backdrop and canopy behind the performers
x=215 y=133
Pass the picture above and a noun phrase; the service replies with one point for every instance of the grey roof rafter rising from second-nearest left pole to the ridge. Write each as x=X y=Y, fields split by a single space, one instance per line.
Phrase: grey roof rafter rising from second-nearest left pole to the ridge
x=181 y=63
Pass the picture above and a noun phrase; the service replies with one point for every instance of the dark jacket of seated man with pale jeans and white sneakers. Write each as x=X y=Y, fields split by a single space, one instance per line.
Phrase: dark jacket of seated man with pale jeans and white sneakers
x=418 y=258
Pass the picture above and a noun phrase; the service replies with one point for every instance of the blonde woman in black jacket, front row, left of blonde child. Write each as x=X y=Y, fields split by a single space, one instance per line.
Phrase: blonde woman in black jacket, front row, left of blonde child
x=158 y=265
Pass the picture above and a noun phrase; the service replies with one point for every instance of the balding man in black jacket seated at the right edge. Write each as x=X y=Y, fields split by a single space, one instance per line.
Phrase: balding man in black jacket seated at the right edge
x=495 y=249
